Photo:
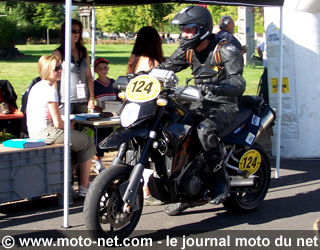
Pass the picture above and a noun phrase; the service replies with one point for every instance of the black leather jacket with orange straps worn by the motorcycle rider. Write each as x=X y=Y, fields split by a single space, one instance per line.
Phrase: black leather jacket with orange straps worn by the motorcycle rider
x=229 y=77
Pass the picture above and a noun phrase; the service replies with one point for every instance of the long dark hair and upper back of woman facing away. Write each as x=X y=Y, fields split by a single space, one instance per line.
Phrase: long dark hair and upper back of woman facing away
x=147 y=51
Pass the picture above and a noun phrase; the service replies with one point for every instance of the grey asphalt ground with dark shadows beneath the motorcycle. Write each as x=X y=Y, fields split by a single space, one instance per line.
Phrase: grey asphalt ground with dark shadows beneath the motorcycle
x=292 y=203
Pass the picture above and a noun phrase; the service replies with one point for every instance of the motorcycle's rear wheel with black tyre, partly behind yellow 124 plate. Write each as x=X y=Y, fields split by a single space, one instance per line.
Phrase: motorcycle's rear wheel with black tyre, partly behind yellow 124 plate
x=248 y=198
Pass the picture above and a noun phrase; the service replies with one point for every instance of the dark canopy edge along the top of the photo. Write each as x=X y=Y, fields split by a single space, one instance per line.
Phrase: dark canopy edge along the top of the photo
x=135 y=2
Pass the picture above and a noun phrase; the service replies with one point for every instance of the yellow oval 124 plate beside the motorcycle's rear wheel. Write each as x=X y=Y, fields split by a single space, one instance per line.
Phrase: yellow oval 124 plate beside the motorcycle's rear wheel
x=250 y=161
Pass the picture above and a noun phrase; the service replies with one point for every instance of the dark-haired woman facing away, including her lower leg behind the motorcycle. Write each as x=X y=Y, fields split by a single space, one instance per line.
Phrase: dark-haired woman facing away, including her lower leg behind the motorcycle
x=146 y=54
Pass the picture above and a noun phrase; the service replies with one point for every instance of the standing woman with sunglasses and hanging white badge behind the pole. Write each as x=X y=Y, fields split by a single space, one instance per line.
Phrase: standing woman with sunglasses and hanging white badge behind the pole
x=81 y=80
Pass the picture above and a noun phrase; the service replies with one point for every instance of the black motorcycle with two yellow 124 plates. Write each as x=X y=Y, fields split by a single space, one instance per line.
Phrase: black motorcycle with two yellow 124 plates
x=158 y=131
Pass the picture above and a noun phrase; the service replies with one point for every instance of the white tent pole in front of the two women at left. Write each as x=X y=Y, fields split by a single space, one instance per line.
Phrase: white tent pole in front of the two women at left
x=67 y=59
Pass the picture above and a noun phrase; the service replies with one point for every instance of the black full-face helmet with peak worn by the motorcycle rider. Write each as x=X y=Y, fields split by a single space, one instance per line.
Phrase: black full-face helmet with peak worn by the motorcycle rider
x=198 y=16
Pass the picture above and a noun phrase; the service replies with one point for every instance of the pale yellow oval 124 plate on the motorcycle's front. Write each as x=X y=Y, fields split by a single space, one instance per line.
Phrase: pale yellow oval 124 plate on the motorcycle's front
x=143 y=88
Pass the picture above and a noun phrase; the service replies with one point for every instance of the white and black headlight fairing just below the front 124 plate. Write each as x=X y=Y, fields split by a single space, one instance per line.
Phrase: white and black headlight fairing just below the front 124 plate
x=134 y=113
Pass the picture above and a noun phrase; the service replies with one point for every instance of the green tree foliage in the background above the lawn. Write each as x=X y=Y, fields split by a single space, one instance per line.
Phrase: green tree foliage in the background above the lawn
x=32 y=19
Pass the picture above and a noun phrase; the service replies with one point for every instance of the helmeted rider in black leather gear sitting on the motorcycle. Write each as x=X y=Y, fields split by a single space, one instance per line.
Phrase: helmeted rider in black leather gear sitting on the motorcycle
x=198 y=47
